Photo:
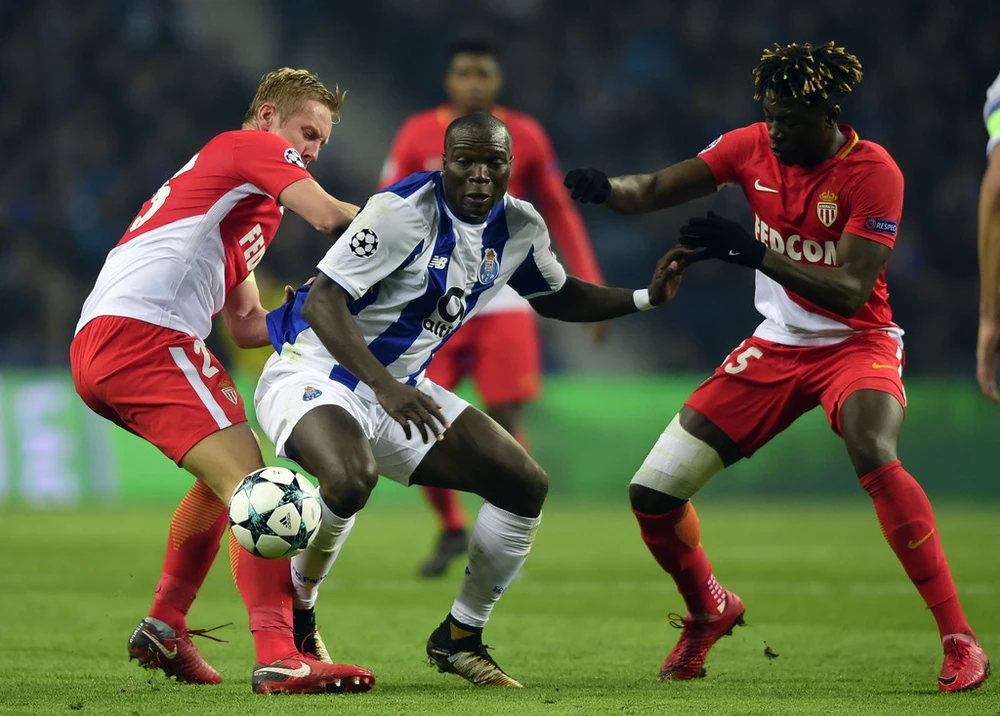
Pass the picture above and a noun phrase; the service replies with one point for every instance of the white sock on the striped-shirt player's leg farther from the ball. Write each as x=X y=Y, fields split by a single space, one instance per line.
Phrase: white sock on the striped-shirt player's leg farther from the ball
x=498 y=546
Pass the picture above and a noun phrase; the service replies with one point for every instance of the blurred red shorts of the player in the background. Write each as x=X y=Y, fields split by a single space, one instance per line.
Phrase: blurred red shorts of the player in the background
x=500 y=351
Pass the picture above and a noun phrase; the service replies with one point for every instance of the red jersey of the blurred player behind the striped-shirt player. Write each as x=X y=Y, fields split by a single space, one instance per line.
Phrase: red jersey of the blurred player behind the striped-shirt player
x=535 y=175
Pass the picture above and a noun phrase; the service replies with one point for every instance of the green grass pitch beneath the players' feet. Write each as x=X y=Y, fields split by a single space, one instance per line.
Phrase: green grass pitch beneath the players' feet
x=584 y=629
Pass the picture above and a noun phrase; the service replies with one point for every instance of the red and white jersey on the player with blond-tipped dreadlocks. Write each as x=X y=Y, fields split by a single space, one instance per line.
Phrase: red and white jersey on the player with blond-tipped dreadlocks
x=802 y=212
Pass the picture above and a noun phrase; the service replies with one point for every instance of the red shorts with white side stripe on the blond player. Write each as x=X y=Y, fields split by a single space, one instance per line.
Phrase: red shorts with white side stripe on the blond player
x=163 y=385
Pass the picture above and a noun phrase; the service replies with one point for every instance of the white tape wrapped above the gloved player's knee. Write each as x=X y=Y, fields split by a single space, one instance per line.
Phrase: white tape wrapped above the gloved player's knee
x=679 y=464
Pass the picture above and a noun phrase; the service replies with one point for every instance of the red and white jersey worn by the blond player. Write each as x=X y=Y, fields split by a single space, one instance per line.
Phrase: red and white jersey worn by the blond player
x=199 y=236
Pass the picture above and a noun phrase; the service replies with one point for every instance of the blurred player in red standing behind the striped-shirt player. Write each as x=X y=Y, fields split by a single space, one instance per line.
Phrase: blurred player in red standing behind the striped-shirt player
x=499 y=348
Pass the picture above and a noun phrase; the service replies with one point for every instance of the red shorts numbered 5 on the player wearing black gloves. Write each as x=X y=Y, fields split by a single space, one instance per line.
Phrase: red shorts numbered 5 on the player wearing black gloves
x=763 y=387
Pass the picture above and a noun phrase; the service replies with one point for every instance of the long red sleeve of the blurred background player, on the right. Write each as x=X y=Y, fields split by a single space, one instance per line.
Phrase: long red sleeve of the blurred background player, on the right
x=561 y=215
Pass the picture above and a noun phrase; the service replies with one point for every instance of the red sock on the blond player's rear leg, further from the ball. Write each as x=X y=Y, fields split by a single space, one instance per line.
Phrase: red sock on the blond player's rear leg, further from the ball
x=193 y=542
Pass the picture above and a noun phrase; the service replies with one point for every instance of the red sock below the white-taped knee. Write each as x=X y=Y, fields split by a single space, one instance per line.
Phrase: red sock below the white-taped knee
x=674 y=540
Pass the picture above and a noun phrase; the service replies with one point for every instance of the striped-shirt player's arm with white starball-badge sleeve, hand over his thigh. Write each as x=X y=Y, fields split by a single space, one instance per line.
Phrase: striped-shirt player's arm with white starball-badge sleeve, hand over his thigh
x=346 y=274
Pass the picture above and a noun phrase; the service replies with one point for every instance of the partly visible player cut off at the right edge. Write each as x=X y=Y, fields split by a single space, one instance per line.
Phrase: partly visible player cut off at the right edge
x=989 y=252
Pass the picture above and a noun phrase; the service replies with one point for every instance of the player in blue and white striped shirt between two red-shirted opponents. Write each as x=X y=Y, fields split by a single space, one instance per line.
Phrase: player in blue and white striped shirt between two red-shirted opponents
x=346 y=387
